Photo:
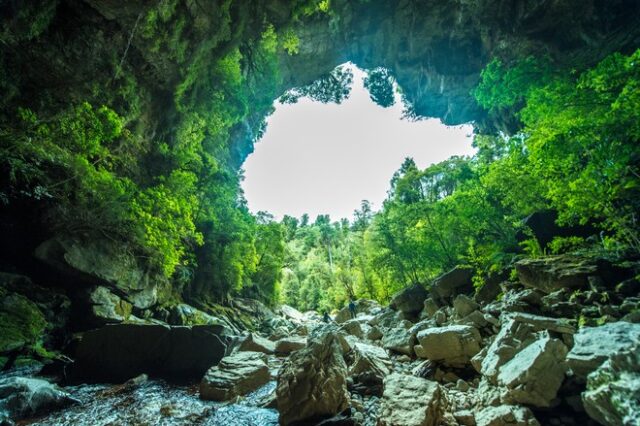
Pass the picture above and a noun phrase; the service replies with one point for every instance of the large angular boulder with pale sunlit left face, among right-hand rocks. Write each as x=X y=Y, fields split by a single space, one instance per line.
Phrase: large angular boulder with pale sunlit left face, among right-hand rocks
x=534 y=375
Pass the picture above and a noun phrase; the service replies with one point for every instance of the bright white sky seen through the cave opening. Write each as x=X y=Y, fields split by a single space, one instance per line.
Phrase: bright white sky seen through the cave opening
x=326 y=158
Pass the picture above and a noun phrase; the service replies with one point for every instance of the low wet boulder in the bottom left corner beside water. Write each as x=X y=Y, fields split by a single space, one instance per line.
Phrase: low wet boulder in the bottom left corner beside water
x=22 y=397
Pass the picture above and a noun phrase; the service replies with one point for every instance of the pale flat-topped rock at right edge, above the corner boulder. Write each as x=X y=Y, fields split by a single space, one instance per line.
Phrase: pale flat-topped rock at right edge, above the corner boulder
x=590 y=351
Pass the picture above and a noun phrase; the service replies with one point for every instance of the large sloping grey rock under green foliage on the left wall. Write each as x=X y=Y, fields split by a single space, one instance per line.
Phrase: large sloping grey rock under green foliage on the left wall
x=94 y=259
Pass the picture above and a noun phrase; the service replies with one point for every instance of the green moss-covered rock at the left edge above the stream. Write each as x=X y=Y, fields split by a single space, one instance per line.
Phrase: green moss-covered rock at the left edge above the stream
x=22 y=324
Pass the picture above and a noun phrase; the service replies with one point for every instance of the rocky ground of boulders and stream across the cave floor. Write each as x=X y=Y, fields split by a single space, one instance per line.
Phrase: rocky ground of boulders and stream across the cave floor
x=559 y=345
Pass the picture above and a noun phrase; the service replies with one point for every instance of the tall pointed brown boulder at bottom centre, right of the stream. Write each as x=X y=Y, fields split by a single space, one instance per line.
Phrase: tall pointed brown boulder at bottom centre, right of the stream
x=312 y=383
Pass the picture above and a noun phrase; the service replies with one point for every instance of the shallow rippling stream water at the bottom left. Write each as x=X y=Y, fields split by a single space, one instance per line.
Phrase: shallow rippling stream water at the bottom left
x=156 y=402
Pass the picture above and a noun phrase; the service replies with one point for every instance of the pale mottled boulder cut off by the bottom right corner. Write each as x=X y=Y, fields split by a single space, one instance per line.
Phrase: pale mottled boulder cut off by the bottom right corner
x=613 y=390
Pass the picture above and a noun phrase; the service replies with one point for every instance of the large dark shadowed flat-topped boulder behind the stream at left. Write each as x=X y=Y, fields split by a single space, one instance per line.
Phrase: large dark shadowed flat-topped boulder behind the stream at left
x=118 y=352
